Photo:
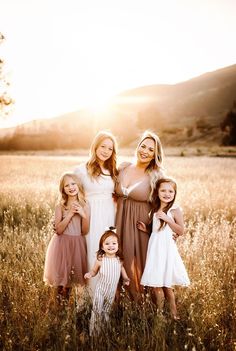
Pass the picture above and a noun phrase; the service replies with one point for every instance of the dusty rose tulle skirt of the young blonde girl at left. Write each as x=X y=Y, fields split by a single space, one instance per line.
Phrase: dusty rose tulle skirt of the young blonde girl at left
x=66 y=260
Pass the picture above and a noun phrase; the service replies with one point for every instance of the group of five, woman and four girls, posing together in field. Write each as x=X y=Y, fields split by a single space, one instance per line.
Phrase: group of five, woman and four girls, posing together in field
x=103 y=225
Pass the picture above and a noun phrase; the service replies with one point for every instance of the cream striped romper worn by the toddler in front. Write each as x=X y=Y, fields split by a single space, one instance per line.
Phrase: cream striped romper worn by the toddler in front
x=105 y=291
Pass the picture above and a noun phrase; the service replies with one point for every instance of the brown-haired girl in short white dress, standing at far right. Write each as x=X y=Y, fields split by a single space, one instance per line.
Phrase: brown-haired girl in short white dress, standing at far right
x=164 y=266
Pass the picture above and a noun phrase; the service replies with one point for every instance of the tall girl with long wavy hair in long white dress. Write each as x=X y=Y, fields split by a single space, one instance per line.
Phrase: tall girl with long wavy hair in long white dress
x=98 y=177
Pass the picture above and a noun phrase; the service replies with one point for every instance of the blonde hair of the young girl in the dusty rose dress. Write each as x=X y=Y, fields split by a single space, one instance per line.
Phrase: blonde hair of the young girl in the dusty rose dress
x=64 y=197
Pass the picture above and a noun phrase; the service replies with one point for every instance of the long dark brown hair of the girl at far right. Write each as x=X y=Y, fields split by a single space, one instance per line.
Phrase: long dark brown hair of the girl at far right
x=156 y=203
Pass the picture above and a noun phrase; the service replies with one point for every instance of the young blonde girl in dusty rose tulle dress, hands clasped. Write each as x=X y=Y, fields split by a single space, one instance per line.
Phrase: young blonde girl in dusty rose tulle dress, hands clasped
x=66 y=256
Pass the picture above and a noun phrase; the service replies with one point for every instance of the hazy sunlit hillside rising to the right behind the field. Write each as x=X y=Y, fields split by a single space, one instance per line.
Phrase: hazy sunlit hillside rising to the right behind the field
x=188 y=113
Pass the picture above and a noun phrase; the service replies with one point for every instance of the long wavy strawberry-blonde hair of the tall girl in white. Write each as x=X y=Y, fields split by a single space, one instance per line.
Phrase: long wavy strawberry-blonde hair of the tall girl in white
x=93 y=167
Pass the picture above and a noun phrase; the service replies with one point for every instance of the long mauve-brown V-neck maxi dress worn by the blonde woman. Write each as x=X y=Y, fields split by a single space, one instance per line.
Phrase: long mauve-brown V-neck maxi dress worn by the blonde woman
x=133 y=206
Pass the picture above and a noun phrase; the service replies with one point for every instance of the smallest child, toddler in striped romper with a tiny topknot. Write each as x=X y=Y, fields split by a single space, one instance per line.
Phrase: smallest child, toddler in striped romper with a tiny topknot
x=109 y=264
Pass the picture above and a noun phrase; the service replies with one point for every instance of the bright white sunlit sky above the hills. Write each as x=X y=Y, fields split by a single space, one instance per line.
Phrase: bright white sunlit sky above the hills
x=62 y=55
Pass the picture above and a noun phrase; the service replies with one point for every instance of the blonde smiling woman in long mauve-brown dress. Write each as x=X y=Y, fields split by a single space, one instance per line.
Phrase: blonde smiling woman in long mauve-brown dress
x=133 y=189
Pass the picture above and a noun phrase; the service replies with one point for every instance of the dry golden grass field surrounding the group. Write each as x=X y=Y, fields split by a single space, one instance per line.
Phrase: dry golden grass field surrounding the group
x=30 y=321
